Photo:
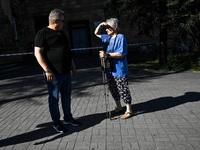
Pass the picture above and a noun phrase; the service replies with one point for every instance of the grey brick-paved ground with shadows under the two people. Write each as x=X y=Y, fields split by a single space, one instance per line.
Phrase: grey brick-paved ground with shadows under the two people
x=166 y=107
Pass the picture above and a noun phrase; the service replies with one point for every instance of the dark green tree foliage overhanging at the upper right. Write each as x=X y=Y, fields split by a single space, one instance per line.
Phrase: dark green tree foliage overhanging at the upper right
x=183 y=15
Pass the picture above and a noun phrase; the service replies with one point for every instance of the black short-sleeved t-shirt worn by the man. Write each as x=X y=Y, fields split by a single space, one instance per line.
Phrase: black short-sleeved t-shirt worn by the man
x=57 y=53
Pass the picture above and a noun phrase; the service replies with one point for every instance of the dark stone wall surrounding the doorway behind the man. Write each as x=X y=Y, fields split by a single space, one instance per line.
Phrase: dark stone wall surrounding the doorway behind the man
x=26 y=10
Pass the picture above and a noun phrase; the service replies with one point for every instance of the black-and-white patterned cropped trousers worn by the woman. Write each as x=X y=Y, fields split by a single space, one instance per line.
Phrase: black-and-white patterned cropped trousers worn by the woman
x=118 y=87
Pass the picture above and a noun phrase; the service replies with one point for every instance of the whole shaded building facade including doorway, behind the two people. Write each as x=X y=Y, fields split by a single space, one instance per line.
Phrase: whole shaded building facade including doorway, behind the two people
x=19 y=26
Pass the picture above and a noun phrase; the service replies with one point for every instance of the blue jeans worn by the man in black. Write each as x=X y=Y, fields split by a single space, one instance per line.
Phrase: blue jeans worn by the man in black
x=62 y=85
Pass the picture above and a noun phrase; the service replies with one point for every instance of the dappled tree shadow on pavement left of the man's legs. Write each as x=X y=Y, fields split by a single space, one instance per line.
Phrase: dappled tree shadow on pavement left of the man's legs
x=22 y=89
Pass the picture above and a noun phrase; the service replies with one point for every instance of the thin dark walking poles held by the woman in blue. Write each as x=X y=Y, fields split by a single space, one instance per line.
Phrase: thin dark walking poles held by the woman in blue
x=105 y=82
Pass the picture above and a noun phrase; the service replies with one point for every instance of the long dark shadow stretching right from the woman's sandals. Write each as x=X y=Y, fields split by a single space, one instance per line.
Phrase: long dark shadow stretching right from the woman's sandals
x=164 y=103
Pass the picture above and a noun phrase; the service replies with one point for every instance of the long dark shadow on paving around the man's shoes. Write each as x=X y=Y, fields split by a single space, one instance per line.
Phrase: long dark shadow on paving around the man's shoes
x=45 y=130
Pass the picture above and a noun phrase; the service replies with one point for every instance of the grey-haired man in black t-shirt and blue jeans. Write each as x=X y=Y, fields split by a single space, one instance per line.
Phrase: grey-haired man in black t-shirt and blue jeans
x=54 y=56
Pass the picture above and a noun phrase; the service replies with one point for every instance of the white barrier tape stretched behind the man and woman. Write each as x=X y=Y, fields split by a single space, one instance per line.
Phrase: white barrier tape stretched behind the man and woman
x=74 y=49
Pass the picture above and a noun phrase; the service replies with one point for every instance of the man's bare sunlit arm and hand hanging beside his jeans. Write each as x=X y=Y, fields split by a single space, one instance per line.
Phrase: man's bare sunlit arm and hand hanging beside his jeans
x=42 y=63
